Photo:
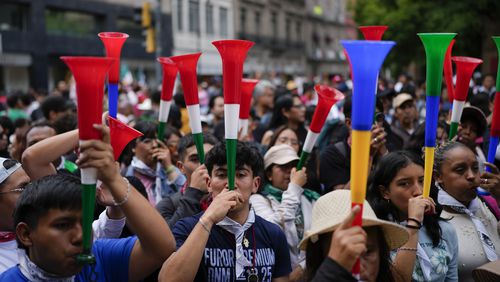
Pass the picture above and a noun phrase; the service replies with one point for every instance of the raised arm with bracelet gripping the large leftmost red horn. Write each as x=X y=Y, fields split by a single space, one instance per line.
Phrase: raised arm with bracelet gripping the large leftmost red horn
x=154 y=245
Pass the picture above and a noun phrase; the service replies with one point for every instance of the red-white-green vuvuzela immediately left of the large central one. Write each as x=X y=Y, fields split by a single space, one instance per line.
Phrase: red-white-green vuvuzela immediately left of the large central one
x=187 y=70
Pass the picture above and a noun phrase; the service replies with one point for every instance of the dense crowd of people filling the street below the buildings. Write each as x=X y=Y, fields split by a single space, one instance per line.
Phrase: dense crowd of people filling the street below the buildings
x=161 y=215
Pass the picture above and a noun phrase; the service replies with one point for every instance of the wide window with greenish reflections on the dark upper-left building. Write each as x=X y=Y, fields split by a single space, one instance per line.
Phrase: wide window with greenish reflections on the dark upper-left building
x=61 y=22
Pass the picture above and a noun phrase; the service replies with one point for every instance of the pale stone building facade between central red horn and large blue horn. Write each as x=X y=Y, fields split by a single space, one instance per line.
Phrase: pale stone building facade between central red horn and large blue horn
x=294 y=37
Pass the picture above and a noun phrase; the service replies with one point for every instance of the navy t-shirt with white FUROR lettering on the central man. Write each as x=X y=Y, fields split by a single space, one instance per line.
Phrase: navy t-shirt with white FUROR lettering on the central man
x=218 y=263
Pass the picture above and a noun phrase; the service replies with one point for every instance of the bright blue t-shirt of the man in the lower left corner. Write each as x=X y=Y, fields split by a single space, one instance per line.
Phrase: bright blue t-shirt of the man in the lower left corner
x=112 y=260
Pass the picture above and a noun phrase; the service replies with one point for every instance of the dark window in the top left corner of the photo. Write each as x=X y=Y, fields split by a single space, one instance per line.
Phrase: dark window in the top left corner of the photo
x=14 y=17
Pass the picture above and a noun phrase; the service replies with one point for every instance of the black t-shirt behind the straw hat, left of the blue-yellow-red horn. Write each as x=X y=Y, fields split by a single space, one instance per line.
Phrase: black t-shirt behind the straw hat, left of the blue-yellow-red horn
x=335 y=165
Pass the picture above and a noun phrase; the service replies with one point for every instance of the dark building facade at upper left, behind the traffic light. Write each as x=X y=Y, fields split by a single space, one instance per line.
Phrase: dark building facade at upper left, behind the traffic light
x=35 y=33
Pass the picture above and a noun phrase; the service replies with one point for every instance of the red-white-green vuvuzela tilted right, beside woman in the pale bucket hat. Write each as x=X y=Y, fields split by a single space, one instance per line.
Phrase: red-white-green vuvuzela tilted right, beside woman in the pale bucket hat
x=327 y=97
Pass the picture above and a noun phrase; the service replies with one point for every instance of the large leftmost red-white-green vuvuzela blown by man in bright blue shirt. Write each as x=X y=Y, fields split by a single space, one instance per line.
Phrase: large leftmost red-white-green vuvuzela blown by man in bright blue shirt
x=90 y=74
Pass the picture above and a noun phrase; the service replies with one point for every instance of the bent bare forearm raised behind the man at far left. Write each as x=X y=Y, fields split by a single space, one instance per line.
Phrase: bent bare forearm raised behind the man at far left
x=37 y=159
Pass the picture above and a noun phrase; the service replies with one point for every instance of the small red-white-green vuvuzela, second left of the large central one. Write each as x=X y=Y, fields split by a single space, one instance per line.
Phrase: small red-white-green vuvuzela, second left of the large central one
x=169 y=74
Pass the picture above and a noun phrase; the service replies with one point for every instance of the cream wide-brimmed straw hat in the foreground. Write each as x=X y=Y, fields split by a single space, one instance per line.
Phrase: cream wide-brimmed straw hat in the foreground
x=332 y=208
